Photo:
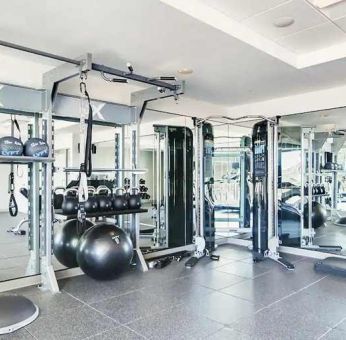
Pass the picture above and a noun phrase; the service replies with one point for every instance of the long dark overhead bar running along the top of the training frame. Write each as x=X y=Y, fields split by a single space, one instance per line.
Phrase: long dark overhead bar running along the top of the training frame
x=95 y=67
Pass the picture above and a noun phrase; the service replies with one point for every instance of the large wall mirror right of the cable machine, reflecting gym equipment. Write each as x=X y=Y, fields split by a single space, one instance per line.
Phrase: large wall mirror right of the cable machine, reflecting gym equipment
x=312 y=181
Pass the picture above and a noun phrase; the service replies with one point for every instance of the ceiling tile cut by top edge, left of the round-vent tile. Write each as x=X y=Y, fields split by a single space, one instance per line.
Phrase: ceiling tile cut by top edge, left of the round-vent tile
x=241 y=9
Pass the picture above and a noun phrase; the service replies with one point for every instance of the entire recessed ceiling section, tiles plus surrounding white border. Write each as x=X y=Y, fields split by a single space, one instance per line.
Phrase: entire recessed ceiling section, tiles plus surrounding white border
x=313 y=30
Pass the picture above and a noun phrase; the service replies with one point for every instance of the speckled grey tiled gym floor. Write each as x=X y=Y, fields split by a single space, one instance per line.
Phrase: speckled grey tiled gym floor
x=229 y=299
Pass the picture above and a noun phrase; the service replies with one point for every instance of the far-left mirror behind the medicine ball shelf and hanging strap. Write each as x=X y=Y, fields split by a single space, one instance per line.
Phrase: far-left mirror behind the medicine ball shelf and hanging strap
x=19 y=253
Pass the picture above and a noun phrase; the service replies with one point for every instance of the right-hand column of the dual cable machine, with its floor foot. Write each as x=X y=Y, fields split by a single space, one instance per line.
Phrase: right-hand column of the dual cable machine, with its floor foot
x=265 y=202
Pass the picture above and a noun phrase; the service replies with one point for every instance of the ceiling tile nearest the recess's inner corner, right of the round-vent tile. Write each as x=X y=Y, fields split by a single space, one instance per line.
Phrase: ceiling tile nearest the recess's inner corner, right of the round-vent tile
x=314 y=38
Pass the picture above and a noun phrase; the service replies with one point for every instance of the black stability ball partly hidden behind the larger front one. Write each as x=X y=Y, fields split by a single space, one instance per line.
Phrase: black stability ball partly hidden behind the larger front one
x=66 y=242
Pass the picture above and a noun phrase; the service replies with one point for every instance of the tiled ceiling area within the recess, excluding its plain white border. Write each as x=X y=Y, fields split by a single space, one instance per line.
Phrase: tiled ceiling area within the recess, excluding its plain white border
x=313 y=28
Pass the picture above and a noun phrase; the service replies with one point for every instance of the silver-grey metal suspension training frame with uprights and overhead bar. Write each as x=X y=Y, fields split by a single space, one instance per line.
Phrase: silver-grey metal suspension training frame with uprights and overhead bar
x=51 y=100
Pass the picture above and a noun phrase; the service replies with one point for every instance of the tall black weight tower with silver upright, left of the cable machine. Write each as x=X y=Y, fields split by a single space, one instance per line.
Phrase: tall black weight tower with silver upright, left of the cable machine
x=174 y=183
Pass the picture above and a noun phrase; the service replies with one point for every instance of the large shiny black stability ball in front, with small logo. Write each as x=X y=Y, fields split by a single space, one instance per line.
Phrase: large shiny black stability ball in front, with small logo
x=104 y=251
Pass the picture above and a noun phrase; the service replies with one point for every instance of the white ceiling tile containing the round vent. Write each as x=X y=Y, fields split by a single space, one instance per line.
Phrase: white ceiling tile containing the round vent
x=304 y=17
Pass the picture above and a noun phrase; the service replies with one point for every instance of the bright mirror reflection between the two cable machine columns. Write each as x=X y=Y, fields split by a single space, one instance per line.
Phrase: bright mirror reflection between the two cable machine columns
x=231 y=190
